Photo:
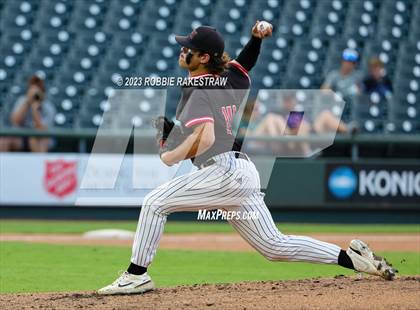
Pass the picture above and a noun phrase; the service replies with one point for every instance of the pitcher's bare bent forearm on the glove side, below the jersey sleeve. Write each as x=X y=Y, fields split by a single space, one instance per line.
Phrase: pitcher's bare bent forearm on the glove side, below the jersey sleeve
x=201 y=139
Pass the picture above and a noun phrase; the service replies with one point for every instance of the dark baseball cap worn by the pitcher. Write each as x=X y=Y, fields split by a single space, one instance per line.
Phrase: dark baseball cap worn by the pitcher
x=203 y=38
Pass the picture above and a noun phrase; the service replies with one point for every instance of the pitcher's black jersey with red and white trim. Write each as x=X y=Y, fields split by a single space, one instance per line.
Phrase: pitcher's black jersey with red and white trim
x=217 y=104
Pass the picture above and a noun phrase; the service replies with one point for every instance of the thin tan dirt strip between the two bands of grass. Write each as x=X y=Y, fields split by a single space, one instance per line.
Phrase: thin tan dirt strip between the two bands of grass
x=227 y=241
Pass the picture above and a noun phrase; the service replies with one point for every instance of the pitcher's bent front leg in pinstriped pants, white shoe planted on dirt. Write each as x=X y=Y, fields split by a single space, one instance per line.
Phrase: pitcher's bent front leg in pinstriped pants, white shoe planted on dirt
x=203 y=189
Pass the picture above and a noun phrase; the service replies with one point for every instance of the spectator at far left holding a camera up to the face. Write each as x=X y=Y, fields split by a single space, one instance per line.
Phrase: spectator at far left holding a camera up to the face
x=31 y=111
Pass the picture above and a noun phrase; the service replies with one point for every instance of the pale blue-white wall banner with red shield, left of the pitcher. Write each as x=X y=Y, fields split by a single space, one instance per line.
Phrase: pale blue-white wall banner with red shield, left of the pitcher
x=63 y=179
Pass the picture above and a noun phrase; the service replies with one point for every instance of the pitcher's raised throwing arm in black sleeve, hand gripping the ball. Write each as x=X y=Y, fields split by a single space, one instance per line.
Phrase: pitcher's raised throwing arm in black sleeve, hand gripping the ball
x=249 y=54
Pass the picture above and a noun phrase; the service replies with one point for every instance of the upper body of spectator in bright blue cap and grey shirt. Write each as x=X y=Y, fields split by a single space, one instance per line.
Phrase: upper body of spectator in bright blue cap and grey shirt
x=345 y=80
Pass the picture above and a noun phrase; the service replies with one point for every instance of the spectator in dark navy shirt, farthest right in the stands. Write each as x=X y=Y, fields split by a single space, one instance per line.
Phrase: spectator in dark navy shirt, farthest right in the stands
x=377 y=81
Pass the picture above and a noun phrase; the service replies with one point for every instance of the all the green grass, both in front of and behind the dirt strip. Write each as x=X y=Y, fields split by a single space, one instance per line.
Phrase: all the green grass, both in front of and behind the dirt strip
x=28 y=267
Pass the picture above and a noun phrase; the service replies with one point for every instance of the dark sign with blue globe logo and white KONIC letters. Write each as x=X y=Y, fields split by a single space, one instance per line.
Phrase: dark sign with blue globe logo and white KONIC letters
x=365 y=182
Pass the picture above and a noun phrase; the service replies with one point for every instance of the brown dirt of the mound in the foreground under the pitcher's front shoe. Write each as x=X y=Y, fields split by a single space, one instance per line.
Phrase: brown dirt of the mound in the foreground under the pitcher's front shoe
x=338 y=293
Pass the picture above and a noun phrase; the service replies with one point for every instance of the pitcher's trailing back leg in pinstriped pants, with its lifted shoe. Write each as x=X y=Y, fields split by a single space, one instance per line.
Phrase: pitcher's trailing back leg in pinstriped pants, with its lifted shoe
x=263 y=235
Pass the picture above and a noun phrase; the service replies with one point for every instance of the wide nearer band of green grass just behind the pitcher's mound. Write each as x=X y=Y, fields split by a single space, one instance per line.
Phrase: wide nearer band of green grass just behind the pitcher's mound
x=27 y=267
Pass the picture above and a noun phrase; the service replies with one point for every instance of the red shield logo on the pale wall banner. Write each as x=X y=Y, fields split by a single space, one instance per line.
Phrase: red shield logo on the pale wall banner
x=60 y=177
